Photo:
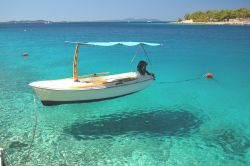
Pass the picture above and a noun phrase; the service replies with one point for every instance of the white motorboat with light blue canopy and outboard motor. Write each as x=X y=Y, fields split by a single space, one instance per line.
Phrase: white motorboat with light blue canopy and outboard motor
x=94 y=87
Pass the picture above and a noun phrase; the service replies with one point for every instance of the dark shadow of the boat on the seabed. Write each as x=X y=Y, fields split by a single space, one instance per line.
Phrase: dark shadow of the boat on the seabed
x=156 y=123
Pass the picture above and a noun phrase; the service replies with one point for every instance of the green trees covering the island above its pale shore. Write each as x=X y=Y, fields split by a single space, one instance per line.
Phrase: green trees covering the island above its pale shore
x=218 y=15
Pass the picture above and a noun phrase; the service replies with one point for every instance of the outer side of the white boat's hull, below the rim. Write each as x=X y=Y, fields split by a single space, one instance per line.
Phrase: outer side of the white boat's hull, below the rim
x=51 y=97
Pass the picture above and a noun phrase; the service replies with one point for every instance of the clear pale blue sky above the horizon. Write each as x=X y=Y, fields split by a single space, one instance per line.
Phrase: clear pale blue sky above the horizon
x=97 y=10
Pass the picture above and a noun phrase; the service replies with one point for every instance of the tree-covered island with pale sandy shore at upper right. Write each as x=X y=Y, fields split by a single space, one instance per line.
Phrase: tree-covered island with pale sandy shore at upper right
x=239 y=17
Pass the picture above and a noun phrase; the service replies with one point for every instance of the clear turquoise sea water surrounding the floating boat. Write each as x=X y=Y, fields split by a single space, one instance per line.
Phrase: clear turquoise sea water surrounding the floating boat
x=172 y=122
